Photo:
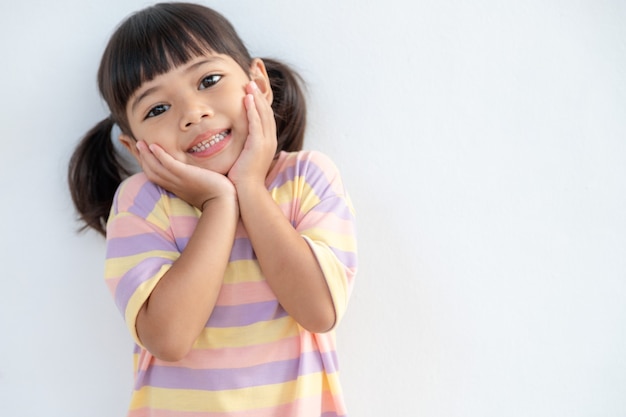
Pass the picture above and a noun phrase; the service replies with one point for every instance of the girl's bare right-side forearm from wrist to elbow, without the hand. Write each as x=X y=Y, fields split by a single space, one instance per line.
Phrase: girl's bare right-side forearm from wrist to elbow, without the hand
x=287 y=261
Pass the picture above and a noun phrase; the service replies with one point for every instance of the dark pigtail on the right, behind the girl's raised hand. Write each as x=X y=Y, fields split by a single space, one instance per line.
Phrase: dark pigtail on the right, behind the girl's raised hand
x=289 y=105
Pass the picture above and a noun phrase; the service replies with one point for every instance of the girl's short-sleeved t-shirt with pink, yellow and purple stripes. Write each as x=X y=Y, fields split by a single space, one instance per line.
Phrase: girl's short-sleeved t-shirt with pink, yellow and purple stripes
x=252 y=358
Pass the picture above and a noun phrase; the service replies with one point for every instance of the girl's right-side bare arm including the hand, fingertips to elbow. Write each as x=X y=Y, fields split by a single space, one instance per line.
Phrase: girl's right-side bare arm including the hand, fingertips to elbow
x=287 y=262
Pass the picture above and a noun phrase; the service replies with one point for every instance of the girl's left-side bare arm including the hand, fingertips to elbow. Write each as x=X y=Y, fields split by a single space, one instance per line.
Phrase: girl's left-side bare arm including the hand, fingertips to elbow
x=179 y=306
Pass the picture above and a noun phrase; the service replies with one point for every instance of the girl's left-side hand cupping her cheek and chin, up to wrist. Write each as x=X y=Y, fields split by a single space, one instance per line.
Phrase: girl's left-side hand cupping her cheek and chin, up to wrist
x=193 y=184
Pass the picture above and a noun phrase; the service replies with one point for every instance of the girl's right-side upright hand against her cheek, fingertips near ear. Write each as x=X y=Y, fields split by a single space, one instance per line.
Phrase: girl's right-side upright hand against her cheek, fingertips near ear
x=256 y=157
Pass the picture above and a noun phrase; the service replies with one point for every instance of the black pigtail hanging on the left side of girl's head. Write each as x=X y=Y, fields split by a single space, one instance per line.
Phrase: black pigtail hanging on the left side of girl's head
x=95 y=172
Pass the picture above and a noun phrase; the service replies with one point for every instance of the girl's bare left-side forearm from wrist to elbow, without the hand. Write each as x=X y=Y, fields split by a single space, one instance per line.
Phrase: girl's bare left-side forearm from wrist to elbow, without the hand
x=181 y=303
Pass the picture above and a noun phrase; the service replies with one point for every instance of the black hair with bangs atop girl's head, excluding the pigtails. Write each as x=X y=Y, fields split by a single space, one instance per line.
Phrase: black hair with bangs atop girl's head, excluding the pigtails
x=158 y=39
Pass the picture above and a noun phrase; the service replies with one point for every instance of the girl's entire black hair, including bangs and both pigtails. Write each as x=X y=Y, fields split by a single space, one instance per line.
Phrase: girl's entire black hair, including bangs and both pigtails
x=149 y=43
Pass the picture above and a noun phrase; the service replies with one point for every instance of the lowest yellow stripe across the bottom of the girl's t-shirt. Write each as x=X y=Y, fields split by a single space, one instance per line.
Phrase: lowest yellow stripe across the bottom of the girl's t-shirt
x=230 y=400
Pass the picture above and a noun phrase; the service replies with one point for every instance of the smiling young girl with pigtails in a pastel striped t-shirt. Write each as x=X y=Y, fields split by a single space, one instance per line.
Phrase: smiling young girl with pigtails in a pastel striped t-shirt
x=232 y=254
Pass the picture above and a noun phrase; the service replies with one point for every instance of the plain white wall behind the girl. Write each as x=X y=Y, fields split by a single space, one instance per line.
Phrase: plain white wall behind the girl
x=484 y=144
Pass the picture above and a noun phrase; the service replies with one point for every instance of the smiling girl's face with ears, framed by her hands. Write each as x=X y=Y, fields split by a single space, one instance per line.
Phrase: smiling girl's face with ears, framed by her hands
x=196 y=112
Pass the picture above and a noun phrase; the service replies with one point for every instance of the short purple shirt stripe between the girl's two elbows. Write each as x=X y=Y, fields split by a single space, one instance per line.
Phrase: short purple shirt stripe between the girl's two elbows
x=245 y=314
